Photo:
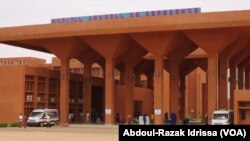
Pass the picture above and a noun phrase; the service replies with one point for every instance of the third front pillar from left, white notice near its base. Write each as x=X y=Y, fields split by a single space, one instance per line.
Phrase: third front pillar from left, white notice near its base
x=158 y=89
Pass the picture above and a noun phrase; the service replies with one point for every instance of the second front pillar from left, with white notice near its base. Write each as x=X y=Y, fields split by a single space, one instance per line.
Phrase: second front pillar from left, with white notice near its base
x=109 y=91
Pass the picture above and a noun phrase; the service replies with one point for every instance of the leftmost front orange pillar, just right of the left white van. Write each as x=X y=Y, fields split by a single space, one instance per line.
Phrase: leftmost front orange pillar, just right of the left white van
x=64 y=92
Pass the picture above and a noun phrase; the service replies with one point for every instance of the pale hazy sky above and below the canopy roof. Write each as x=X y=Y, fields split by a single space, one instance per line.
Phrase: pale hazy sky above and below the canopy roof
x=29 y=12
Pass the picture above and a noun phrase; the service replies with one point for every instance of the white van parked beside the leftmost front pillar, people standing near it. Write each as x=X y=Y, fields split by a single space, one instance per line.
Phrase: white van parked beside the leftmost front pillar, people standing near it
x=38 y=117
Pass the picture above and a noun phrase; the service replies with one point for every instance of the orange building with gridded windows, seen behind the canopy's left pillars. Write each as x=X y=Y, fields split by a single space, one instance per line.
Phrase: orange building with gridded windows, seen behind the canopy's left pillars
x=36 y=85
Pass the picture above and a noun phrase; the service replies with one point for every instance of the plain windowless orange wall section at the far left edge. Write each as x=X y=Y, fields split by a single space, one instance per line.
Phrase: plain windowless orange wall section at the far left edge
x=11 y=93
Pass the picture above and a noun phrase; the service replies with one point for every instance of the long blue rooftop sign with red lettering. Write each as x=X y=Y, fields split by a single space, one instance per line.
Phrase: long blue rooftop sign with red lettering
x=127 y=15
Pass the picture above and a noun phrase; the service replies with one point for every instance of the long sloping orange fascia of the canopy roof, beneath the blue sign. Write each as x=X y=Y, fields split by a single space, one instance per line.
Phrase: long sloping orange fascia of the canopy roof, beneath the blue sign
x=133 y=25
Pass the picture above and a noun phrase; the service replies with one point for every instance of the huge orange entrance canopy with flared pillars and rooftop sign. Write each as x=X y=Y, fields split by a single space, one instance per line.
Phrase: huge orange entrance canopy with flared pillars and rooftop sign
x=170 y=39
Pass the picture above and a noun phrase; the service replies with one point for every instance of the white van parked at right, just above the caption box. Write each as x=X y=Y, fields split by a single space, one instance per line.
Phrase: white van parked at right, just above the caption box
x=222 y=117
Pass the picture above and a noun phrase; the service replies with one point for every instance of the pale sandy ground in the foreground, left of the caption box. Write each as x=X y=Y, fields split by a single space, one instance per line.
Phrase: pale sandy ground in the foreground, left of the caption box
x=71 y=133
